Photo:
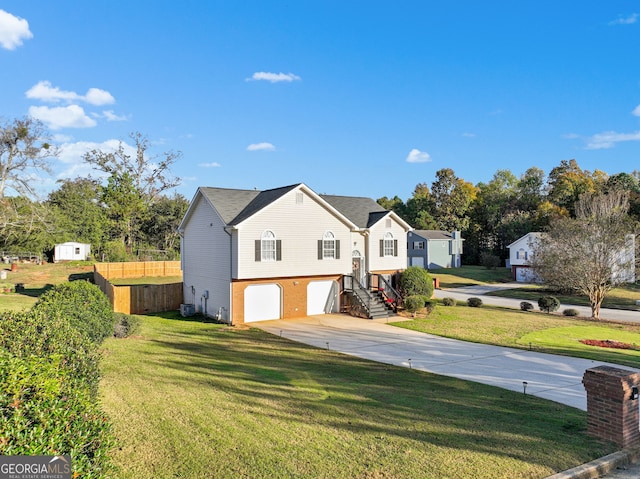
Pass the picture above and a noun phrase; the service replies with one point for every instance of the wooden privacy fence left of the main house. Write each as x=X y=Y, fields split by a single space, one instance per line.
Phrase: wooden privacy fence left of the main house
x=142 y=298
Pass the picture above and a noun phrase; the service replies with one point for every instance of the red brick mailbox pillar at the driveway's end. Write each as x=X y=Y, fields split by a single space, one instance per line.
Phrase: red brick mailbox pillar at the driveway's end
x=612 y=404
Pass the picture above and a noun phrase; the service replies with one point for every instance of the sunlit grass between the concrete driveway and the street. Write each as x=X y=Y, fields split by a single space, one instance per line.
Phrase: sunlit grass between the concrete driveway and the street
x=536 y=330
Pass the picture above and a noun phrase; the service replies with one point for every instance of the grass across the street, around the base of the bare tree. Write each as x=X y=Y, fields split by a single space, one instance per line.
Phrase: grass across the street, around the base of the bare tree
x=619 y=298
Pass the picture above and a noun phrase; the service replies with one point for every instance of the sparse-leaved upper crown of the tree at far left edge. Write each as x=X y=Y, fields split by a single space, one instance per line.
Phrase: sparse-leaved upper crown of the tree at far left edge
x=24 y=149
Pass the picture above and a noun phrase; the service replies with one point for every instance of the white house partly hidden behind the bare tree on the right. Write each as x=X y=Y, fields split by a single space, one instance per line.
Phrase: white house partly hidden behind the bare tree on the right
x=521 y=250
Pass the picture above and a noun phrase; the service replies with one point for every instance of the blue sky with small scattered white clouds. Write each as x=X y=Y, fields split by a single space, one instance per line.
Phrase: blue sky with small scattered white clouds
x=363 y=98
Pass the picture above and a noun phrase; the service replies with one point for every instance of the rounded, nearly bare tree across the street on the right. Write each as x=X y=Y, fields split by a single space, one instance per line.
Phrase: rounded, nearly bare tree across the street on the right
x=591 y=253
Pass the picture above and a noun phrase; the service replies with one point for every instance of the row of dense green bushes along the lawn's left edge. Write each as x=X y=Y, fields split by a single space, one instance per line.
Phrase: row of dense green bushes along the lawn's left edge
x=49 y=373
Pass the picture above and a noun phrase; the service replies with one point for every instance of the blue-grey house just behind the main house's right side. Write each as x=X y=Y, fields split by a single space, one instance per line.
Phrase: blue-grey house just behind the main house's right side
x=434 y=249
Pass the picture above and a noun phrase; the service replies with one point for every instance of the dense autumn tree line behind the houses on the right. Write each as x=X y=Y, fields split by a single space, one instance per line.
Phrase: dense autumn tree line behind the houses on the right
x=492 y=215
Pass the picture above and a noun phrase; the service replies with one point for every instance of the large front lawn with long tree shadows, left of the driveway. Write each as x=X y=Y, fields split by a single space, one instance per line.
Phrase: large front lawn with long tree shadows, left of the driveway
x=194 y=400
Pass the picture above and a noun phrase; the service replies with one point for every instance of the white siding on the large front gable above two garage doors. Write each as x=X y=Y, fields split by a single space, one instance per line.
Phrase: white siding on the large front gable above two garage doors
x=299 y=228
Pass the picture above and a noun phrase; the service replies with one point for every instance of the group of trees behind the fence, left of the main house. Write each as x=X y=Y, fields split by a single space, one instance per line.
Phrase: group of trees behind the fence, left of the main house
x=125 y=211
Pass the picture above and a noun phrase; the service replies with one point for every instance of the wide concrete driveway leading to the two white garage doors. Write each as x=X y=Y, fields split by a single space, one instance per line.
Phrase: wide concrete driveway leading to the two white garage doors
x=556 y=378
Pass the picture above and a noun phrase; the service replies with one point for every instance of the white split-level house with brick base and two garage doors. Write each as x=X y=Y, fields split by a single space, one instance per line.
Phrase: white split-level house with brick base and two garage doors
x=250 y=255
